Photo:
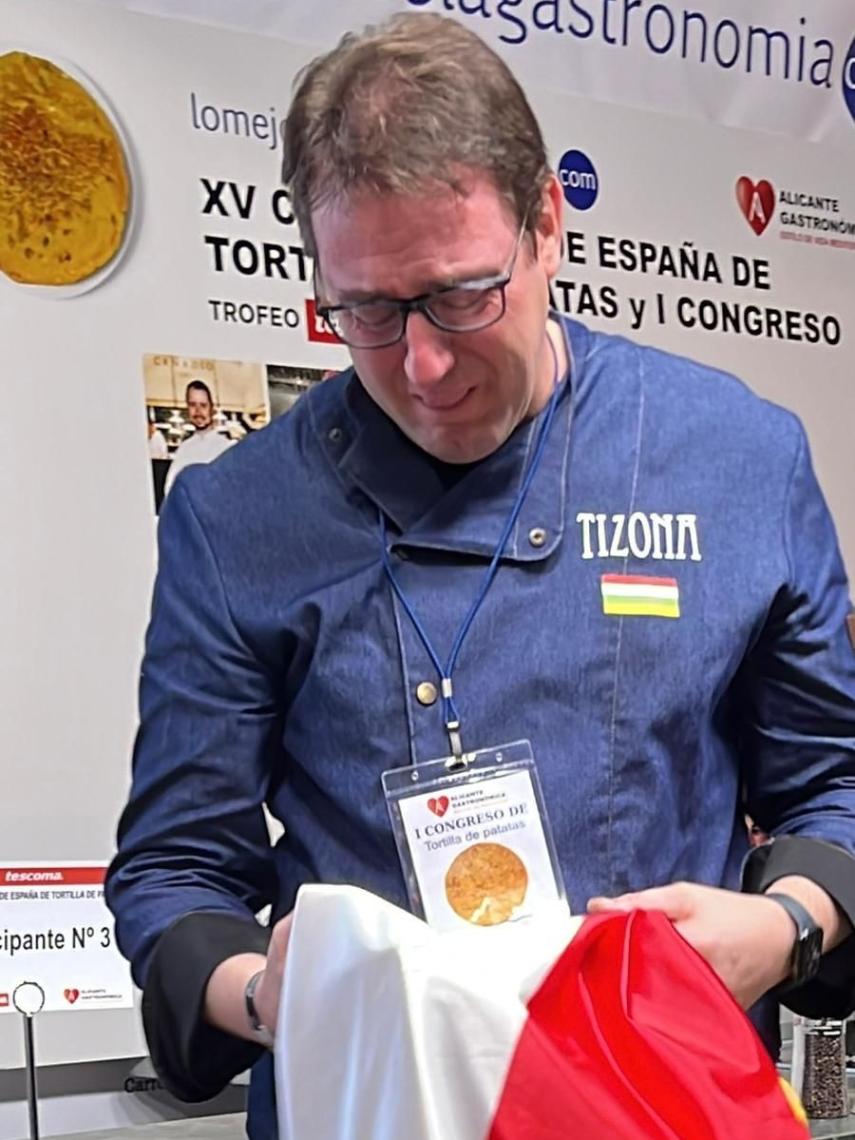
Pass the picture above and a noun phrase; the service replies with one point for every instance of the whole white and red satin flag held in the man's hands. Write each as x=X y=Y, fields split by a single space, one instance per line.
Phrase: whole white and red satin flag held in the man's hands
x=608 y=1029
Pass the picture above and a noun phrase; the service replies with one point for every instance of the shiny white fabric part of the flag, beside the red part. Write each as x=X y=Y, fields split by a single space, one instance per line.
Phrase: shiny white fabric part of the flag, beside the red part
x=389 y=1030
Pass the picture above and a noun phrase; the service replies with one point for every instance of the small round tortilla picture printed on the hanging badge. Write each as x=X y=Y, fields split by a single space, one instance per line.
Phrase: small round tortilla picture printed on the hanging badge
x=486 y=884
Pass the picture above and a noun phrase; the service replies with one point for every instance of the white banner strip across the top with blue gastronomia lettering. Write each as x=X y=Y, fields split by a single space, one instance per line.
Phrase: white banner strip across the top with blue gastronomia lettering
x=778 y=66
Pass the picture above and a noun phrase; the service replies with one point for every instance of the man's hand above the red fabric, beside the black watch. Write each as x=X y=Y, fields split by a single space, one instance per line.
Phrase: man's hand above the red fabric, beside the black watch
x=747 y=940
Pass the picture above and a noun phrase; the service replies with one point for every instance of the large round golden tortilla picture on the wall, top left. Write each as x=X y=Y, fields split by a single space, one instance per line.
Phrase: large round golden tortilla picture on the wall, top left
x=64 y=183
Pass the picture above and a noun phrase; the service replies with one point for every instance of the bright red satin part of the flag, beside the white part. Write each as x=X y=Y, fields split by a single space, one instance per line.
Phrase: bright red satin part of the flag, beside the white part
x=632 y=1036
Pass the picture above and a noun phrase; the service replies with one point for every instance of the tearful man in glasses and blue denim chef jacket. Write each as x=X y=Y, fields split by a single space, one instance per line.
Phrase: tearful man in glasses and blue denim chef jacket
x=283 y=666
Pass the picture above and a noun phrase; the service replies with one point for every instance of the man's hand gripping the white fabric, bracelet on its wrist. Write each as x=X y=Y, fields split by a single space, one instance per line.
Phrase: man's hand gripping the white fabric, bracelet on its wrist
x=225 y=1005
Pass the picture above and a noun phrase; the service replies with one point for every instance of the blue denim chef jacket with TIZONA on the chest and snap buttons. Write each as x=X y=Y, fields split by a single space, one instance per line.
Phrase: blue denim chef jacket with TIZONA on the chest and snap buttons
x=281 y=669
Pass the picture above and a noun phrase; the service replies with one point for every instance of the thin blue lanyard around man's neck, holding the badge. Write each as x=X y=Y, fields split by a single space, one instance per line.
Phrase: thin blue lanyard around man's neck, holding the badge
x=450 y=710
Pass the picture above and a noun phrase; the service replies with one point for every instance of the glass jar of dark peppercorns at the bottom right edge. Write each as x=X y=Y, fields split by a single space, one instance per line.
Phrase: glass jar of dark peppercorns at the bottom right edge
x=819 y=1066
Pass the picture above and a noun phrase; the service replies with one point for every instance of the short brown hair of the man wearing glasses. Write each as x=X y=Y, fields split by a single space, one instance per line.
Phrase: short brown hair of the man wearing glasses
x=404 y=108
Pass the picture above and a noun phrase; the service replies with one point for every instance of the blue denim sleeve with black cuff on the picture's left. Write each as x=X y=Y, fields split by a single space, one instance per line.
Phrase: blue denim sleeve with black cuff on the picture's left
x=193 y=840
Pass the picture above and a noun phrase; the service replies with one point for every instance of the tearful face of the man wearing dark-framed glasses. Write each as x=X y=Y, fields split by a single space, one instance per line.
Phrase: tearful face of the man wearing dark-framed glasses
x=459 y=396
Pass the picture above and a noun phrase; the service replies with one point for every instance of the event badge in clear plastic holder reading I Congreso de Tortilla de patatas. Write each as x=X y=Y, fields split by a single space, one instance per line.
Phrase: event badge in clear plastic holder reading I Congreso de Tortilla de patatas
x=474 y=837
